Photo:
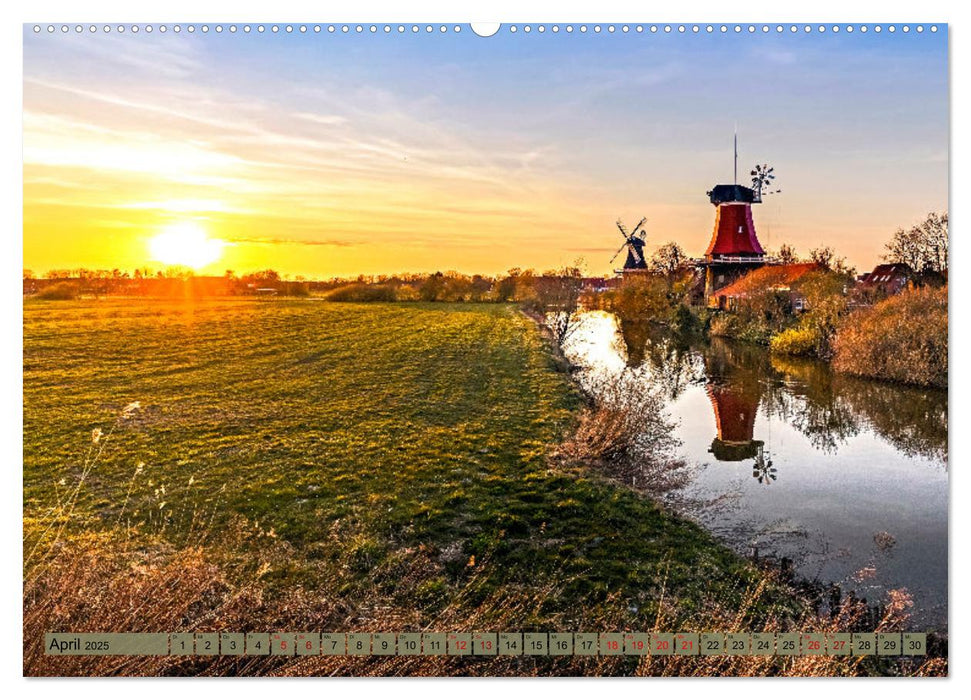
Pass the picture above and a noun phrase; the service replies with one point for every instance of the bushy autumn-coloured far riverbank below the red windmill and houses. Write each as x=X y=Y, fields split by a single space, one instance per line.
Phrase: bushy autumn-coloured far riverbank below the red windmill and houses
x=902 y=338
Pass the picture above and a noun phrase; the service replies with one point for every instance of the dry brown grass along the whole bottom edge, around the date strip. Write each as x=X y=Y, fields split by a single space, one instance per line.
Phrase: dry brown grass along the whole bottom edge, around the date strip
x=104 y=585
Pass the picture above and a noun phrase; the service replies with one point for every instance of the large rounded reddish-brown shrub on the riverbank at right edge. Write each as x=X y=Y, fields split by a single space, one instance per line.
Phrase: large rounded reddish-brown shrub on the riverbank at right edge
x=903 y=339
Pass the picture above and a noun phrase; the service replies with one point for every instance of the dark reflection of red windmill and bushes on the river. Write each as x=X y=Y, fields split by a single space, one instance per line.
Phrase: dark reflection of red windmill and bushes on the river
x=828 y=408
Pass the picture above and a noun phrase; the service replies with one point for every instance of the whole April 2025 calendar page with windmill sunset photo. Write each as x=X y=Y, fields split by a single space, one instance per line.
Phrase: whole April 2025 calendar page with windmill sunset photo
x=516 y=349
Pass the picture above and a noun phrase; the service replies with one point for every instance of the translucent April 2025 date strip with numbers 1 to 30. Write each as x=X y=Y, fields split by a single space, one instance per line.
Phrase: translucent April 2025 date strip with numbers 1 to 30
x=484 y=644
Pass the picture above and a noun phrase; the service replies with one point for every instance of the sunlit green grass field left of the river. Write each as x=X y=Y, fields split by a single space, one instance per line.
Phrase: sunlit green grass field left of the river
x=377 y=458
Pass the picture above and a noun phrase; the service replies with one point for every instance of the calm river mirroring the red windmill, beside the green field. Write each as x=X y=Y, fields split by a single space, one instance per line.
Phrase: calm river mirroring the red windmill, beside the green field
x=848 y=461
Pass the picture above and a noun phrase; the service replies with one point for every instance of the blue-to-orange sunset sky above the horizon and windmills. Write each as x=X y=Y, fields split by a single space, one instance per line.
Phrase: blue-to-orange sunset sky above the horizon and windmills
x=323 y=155
